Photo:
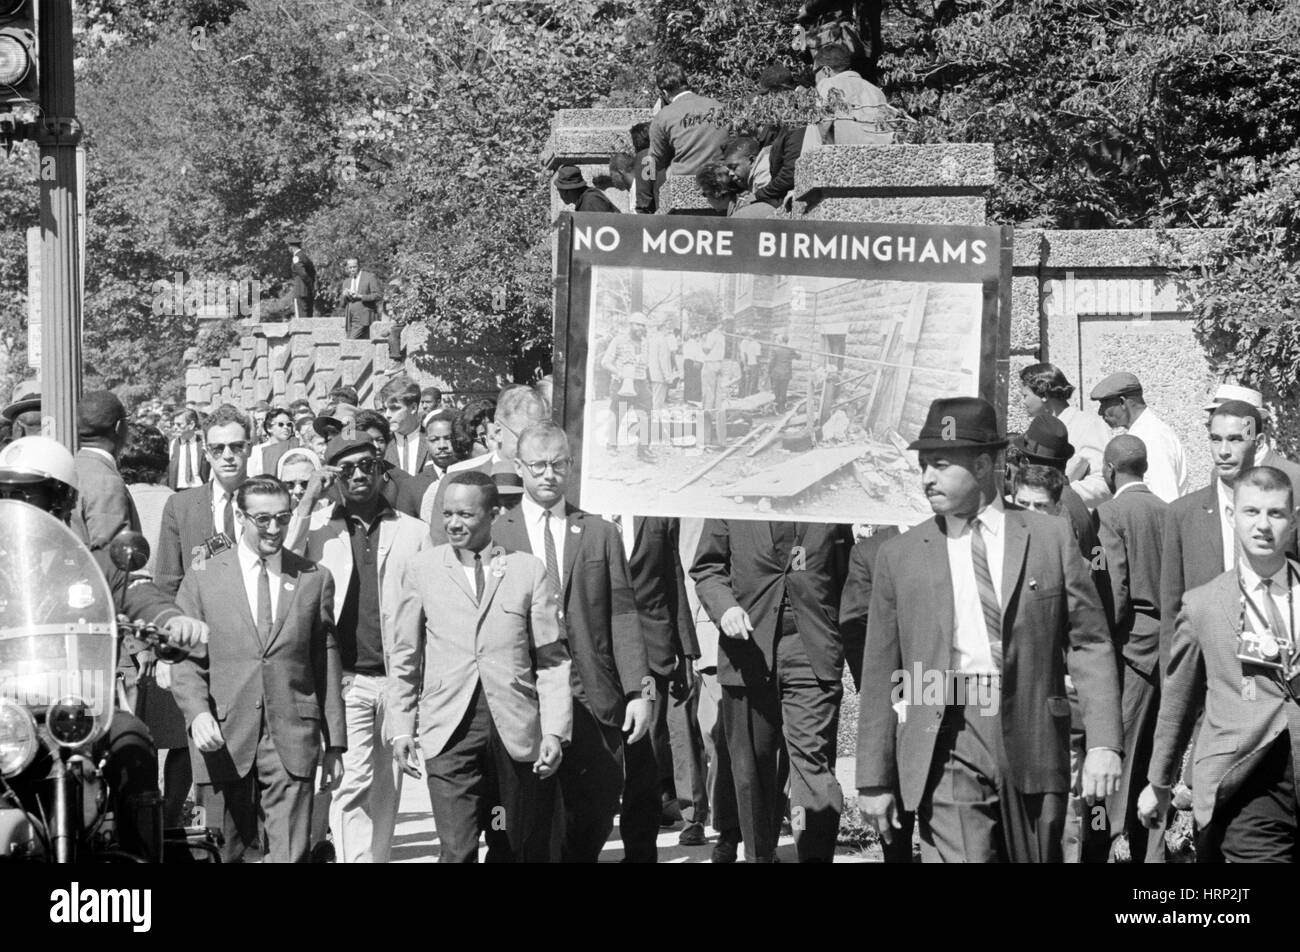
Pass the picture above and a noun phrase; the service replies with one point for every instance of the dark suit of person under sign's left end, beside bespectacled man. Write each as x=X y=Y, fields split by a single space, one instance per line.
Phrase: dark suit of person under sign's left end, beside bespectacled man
x=670 y=638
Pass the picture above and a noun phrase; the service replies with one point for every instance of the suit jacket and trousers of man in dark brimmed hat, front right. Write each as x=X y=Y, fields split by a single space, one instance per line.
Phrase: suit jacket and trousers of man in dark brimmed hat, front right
x=1052 y=624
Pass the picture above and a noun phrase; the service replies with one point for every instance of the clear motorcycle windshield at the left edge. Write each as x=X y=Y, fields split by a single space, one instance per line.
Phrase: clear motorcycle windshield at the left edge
x=58 y=624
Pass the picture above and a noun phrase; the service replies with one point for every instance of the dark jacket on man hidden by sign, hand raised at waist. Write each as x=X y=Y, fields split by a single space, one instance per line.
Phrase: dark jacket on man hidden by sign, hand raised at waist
x=739 y=564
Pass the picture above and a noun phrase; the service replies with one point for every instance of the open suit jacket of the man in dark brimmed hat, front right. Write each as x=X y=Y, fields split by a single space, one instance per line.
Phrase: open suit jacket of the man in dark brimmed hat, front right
x=1052 y=624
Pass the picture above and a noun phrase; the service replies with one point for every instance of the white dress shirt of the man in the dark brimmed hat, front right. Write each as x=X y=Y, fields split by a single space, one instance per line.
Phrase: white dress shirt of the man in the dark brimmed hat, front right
x=972 y=654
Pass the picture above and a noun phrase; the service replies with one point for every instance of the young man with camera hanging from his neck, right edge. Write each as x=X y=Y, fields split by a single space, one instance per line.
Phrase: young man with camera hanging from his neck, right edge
x=1234 y=652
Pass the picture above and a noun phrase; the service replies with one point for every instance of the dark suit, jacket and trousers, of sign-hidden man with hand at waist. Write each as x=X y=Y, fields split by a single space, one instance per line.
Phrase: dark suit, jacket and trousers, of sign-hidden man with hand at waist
x=786 y=677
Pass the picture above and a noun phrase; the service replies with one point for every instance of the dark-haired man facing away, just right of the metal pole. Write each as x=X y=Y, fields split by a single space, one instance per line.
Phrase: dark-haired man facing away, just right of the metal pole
x=103 y=505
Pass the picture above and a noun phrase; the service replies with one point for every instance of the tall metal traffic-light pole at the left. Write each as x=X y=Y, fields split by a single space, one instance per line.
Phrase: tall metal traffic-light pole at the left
x=58 y=135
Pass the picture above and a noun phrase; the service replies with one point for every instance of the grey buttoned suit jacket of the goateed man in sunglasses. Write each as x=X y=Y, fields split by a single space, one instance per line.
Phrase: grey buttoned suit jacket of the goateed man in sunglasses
x=294 y=678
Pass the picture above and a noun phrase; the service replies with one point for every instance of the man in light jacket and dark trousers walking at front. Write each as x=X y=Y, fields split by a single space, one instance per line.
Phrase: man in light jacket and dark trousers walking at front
x=493 y=703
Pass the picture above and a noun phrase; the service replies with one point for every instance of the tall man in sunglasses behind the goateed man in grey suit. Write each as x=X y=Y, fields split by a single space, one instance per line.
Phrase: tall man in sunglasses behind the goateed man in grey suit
x=201 y=523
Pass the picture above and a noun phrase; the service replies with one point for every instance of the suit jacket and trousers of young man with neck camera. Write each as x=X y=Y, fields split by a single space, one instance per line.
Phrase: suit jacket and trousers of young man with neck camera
x=1247 y=720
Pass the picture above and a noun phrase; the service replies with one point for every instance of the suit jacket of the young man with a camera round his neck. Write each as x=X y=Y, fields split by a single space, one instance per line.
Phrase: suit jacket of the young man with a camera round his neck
x=1204 y=672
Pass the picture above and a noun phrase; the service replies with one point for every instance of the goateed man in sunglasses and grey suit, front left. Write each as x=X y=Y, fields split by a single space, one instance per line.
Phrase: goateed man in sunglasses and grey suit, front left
x=266 y=694
